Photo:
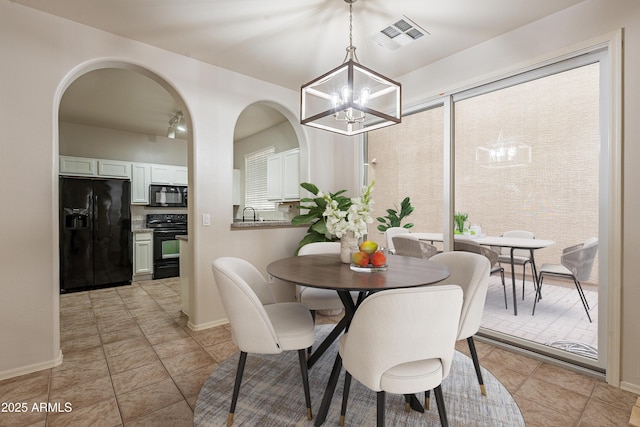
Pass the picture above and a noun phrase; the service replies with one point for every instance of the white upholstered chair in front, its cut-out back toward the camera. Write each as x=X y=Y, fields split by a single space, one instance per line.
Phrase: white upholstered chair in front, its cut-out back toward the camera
x=388 y=348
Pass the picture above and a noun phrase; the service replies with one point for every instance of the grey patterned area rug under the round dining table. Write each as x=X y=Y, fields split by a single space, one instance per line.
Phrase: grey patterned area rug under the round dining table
x=271 y=395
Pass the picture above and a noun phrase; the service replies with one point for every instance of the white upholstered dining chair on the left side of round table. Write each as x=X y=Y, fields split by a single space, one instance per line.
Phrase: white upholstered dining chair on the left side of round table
x=259 y=324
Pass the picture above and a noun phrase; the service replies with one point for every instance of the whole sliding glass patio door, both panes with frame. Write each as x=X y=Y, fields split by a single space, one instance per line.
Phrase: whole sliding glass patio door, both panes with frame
x=523 y=153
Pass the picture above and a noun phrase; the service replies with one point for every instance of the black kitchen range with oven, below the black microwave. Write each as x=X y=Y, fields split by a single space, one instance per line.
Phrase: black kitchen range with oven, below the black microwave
x=166 y=247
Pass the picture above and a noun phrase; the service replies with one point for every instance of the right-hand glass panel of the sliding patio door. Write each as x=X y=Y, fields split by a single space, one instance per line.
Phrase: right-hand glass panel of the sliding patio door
x=527 y=159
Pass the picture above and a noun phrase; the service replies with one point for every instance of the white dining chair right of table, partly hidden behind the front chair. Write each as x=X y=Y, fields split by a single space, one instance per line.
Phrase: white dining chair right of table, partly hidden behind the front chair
x=471 y=272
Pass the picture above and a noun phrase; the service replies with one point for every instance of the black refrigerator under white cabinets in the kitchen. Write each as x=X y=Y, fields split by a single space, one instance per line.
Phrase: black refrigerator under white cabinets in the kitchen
x=95 y=233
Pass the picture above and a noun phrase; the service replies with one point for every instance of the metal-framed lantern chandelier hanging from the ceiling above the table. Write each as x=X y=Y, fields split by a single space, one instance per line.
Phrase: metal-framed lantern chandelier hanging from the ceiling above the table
x=351 y=98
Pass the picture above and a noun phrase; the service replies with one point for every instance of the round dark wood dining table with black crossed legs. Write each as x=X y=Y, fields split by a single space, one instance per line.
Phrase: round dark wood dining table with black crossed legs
x=326 y=271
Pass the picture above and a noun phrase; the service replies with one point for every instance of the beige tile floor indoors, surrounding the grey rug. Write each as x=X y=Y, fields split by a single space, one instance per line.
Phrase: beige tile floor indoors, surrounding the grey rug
x=130 y=360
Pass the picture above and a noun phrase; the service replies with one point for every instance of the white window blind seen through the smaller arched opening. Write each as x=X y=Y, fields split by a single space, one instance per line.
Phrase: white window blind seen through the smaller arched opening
x=256 y=180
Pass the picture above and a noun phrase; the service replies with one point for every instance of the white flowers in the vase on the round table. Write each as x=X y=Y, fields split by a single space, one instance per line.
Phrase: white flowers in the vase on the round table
x=354 y=219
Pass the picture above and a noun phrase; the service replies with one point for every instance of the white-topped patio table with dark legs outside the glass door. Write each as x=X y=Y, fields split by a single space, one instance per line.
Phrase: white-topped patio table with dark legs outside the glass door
x=503 y=242
